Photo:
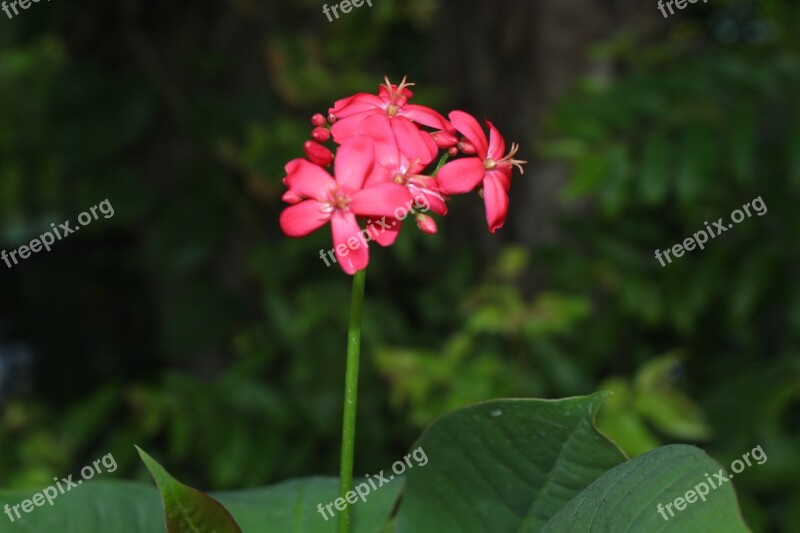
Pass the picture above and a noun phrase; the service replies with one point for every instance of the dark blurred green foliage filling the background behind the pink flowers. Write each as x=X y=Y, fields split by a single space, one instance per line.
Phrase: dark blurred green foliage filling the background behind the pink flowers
x=189 y=325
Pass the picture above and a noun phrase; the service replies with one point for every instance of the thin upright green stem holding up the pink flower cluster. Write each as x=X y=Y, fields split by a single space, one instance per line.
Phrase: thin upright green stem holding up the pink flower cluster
x=351 y=395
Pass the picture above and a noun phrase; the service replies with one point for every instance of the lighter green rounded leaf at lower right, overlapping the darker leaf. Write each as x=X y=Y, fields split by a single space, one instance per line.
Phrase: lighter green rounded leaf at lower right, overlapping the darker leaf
x=627 y=498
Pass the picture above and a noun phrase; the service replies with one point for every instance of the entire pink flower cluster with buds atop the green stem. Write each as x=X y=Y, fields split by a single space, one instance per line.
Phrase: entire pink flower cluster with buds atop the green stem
x=385 y=144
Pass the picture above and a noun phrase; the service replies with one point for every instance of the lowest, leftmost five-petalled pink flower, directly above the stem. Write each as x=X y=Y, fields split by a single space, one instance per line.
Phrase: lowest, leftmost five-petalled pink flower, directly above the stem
x=338 y=200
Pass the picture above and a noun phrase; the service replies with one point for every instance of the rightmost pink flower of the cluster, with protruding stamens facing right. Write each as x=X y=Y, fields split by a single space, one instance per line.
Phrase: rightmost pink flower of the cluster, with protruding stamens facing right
x=490 y=167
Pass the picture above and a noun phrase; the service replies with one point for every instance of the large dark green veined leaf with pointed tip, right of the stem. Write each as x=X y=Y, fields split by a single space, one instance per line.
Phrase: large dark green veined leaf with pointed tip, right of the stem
x=505 y=465
